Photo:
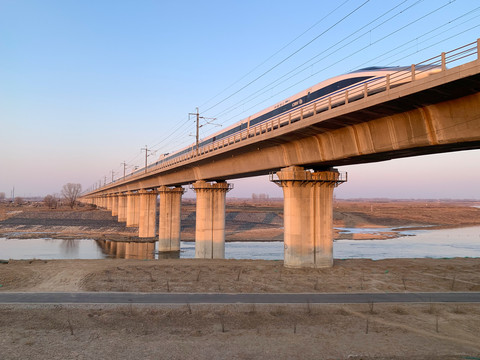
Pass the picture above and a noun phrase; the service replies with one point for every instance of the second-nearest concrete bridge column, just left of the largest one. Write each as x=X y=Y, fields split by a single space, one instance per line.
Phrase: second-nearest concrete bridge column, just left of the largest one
x=210 y=219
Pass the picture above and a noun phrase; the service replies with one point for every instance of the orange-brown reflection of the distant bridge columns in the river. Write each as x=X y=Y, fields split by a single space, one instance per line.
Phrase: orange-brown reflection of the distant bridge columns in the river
x=128 y=250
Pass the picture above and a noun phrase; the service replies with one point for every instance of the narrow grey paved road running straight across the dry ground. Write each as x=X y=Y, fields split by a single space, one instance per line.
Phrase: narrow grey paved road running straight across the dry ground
x=170 y=298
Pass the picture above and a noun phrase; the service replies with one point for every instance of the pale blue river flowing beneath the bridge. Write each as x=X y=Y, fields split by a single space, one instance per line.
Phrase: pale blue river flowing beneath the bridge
x=459 y=242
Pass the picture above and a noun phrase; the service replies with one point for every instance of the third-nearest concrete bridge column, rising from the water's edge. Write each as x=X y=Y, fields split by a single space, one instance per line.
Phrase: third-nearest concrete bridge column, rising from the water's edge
x=169 y=218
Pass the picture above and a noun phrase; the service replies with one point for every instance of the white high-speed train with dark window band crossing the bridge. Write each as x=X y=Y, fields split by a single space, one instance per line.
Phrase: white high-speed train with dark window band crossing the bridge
x=372 y=78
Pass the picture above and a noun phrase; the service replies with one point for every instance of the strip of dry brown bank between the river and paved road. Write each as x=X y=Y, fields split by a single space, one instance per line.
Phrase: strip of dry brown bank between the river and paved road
x=240 y=276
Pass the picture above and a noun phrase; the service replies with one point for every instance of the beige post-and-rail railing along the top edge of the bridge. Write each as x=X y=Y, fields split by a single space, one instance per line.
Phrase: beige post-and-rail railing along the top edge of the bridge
x=363 y=90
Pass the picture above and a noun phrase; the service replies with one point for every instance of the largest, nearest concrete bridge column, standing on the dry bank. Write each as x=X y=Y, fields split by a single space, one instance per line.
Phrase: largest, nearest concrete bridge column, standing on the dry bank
x=308 y=216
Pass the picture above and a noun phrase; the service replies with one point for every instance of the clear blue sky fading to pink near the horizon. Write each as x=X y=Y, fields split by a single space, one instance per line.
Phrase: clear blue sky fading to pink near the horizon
x=86 y=85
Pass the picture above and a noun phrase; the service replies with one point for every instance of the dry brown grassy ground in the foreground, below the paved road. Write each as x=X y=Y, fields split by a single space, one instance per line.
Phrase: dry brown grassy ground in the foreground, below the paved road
x=235 y=332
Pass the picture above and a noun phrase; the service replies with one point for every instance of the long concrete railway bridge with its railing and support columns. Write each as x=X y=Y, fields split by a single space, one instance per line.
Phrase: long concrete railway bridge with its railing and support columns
x=425 y=115
